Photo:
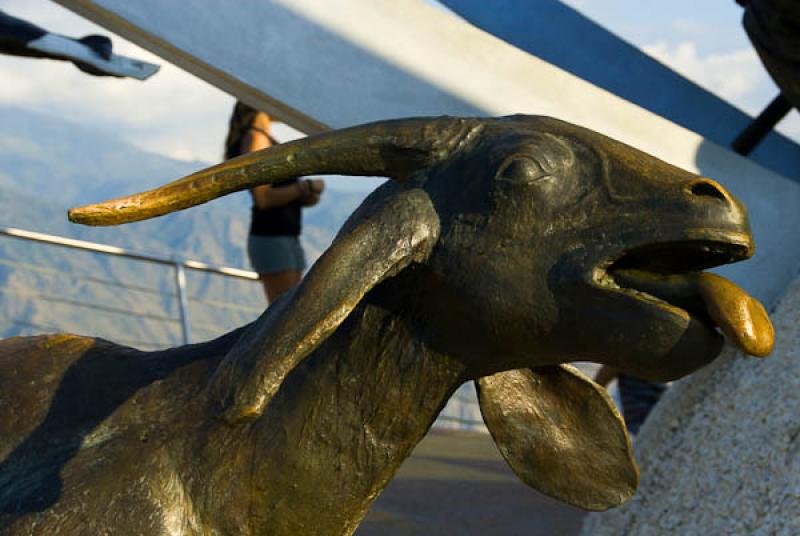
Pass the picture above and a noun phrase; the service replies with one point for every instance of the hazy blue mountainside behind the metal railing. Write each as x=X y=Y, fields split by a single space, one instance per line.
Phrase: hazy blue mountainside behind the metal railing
x=48 y=165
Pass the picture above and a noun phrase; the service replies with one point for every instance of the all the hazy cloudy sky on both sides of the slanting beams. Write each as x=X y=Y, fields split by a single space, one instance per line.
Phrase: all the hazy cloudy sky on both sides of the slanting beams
x=183 y=117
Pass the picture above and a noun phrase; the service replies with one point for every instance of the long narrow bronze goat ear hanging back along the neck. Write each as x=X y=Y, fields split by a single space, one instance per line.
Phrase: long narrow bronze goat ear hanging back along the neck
x=386 y=239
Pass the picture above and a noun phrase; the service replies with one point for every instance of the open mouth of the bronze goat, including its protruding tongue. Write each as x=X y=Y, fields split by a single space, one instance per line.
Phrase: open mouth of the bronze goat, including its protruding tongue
x=669 y=275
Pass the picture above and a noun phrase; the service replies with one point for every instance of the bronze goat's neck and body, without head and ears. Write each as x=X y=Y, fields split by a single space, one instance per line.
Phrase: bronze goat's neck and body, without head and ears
x=117 y=440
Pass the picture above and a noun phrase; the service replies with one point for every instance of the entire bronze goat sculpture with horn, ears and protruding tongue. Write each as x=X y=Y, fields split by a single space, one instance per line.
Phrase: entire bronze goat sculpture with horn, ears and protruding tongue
x=502 y=249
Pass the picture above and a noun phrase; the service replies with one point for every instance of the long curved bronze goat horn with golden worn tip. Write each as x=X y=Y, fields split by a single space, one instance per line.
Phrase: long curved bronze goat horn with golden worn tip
x=394 y=149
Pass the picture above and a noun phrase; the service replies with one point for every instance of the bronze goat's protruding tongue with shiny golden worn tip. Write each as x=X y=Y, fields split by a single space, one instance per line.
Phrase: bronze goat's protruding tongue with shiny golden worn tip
x=738 y=315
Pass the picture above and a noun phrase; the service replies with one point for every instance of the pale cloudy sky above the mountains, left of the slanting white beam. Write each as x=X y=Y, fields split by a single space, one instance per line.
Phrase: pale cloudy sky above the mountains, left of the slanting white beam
x=173 y=113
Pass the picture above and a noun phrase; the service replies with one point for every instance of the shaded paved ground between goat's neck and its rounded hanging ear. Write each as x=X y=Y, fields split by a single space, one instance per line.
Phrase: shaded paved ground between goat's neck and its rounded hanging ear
x=456 y=483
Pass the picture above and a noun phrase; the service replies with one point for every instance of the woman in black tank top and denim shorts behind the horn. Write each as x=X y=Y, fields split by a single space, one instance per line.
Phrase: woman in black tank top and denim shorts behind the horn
x=273 y=243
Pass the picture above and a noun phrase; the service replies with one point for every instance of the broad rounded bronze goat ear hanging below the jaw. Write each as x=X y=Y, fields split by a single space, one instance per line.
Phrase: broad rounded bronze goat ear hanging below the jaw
x=561 y=434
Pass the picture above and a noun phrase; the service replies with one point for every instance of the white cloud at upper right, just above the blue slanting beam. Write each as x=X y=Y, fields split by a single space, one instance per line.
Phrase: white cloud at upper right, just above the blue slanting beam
x=735 y=76
